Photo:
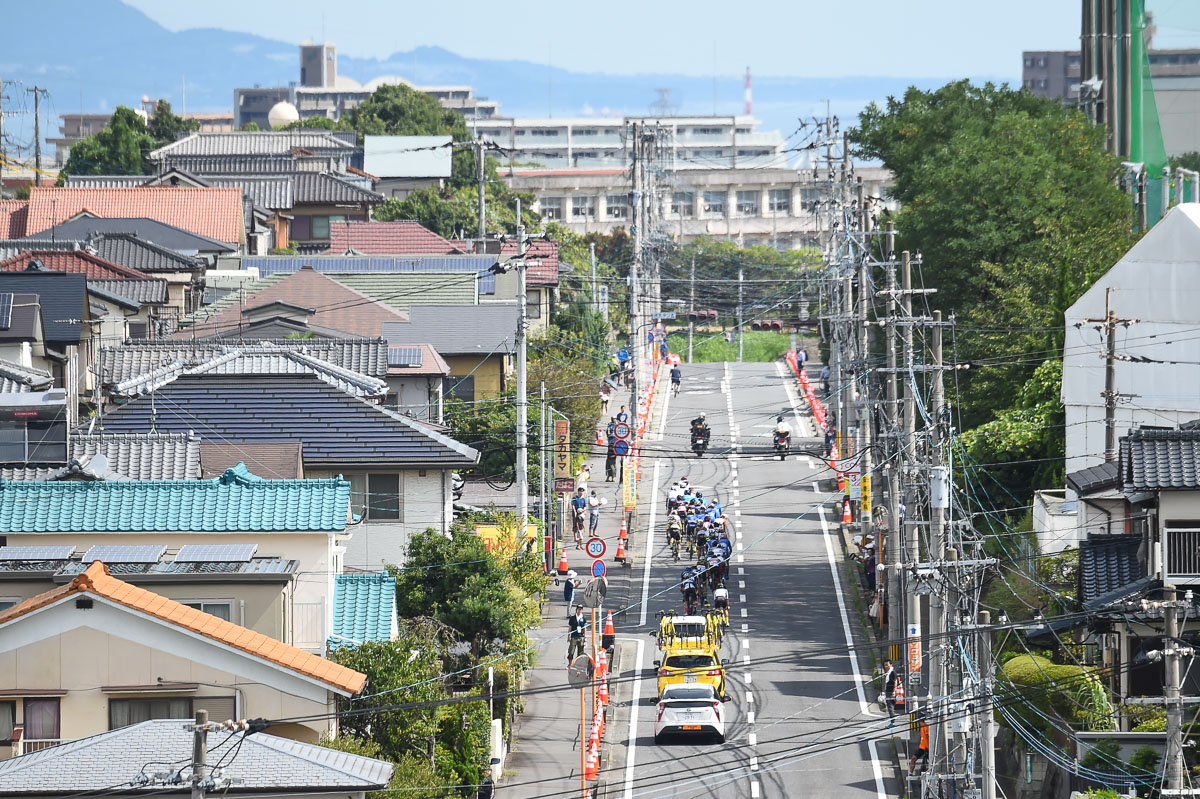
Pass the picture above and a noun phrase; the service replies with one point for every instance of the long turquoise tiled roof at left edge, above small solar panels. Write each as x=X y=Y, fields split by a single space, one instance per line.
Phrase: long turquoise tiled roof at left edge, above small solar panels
x=235 y=502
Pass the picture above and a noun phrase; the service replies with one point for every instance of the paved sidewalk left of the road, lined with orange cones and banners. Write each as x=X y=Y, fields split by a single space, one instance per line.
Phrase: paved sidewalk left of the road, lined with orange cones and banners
x=547 y=755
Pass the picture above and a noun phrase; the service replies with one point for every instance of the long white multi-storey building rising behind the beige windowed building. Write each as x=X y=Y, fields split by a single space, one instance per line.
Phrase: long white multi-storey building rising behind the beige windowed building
x=599 y=143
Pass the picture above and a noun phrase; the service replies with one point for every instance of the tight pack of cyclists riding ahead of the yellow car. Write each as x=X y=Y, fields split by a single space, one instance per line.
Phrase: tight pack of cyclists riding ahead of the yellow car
x=699 y=527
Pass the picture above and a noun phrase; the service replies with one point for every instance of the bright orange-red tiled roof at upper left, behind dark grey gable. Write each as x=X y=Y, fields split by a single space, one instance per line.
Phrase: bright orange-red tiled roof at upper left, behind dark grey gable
x=213 y=213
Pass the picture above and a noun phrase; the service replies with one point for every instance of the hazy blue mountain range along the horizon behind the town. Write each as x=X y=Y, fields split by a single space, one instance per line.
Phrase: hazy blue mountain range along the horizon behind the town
x=97 y=56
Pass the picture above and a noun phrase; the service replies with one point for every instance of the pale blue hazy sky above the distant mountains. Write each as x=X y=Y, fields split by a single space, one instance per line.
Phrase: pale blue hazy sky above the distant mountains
x=775 y=38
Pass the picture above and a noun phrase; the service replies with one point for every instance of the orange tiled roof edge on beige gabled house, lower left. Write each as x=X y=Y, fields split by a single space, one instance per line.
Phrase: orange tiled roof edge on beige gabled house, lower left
x=98 y=581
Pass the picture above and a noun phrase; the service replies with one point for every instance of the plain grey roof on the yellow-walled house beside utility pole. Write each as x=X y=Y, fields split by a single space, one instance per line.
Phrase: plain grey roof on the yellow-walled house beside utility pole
x=459 y=329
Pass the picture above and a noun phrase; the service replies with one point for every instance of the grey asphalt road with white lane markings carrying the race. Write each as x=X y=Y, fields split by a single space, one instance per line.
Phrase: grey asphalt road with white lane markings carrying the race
x=801 y=714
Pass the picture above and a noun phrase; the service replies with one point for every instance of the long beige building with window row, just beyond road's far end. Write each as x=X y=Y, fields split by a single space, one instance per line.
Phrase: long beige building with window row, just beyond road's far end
x=778 y=208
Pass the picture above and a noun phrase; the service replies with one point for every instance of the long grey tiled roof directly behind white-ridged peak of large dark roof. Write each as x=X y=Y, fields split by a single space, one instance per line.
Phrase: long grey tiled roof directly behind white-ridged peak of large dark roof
x=134 y=358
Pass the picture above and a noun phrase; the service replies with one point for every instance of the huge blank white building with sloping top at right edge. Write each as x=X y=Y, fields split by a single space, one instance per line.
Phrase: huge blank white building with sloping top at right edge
x=1157 y=369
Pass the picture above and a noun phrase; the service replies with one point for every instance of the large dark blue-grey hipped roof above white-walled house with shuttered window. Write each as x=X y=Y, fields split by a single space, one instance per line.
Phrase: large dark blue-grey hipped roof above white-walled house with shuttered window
x=337 y=429
